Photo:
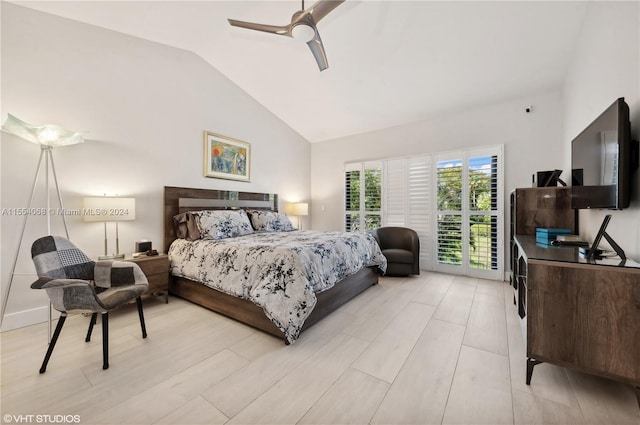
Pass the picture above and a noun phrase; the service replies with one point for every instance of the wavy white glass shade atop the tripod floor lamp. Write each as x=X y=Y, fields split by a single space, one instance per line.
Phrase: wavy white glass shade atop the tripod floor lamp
x=45 y=135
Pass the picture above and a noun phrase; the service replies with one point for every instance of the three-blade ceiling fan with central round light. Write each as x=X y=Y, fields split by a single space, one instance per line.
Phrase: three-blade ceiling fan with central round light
x=302 y=26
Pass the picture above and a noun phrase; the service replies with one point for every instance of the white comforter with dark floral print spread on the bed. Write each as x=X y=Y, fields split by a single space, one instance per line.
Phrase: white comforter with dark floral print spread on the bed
x=278 y=271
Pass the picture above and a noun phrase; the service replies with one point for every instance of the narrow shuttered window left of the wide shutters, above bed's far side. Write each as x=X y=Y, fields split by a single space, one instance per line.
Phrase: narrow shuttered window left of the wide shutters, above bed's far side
x=363 y=196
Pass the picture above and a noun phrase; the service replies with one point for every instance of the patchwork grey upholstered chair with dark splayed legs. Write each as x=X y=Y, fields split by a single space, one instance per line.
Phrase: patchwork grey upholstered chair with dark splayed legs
x=76 y=284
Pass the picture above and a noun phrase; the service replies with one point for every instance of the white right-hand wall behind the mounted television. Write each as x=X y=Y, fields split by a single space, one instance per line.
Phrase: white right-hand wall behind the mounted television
x=606 y=66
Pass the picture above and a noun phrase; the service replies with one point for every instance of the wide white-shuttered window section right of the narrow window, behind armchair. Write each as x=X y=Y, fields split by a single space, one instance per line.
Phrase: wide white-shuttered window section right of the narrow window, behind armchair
x=453 y=201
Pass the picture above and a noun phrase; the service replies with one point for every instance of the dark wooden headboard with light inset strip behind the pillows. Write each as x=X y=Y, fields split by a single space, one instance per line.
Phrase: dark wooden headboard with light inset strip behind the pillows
x=181 y=199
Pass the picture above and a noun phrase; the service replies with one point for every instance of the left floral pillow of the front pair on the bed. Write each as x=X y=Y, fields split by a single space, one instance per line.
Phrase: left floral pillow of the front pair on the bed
x=222 y=224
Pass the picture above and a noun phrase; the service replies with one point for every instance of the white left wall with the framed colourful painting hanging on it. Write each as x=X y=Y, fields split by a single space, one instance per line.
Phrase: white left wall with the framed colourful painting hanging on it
x=145 y=106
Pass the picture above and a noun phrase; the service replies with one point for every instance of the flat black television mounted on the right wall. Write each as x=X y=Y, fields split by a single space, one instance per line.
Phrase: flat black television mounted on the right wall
x=602 y=159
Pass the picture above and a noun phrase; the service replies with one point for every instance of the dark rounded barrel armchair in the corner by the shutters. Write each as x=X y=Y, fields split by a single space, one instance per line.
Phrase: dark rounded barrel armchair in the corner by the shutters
x=401 y=247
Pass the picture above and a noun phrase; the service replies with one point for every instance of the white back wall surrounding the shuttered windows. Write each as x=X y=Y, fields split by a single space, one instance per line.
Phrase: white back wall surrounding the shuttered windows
x=532 y=142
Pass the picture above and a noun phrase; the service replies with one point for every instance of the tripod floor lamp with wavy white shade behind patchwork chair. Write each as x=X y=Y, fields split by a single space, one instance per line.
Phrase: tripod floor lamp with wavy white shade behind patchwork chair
x=48 y=137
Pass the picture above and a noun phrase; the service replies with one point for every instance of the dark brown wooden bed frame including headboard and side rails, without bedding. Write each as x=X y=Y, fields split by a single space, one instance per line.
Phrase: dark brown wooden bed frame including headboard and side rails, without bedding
x=179 y=199
